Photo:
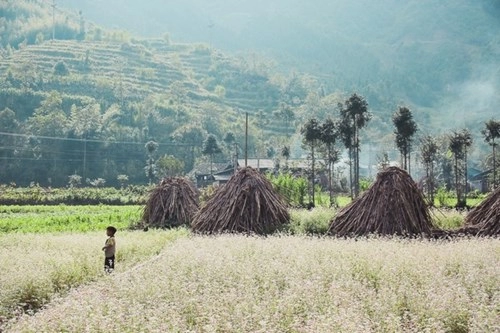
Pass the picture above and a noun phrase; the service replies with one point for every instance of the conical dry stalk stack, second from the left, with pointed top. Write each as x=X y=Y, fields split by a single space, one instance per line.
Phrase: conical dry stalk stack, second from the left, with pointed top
x=246 y=204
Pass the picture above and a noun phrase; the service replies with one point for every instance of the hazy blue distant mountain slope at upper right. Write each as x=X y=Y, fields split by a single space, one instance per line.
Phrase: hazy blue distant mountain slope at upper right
x=423 y=53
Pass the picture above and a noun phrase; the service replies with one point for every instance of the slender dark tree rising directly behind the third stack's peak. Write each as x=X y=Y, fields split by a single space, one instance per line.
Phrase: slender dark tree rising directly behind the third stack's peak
x=405 y=129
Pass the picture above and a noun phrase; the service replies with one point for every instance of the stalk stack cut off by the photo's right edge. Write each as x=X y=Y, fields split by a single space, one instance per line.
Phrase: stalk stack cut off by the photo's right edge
x=484 y=220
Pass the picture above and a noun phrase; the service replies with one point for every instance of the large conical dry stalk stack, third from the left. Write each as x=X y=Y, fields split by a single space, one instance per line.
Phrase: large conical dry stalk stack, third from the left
x=393 y=205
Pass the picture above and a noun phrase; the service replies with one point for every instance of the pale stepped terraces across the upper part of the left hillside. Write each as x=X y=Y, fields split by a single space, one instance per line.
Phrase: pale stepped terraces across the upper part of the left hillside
x=111 y=72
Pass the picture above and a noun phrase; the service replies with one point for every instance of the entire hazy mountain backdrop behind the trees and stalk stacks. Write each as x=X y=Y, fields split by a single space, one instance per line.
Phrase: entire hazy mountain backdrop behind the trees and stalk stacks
x=80 y=99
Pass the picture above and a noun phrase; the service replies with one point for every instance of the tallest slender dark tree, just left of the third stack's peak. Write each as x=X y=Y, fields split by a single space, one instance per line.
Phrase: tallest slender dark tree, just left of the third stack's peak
x=354 y=116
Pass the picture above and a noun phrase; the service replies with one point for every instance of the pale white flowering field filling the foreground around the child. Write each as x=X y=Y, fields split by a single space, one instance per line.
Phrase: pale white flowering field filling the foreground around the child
x=253 y=284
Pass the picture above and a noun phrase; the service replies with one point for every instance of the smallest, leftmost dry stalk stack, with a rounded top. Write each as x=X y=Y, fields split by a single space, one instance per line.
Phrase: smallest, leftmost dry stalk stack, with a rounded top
x=173 y=202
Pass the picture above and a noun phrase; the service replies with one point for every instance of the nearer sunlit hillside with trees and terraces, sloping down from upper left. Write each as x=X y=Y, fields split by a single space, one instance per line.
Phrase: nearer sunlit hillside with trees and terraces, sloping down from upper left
x=104 y=94
